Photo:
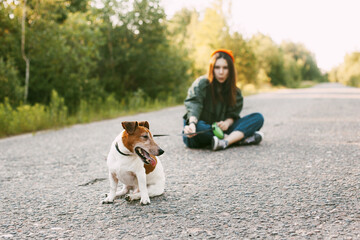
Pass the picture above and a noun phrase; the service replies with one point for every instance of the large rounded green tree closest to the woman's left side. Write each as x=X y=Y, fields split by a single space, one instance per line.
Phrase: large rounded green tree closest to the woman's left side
x=137 y=53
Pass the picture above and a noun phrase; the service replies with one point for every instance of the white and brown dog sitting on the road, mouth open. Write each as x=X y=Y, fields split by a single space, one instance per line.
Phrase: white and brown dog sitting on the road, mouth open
x=132 y=161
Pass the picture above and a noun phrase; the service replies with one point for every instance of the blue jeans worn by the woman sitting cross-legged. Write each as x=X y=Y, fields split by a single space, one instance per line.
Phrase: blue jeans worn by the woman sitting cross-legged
x=247 y=125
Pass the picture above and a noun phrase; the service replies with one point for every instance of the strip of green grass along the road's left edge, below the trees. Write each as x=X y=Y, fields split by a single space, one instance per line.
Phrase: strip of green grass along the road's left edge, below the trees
x=32 y=118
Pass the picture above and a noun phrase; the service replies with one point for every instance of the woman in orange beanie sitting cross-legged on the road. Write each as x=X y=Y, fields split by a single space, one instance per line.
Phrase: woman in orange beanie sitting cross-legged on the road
x=215 y=98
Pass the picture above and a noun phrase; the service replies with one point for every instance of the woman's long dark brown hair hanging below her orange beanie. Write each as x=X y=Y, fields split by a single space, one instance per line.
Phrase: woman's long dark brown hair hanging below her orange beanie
x=223 y=92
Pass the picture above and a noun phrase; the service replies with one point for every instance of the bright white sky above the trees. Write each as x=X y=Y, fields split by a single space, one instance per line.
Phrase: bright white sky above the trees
x=329 y=29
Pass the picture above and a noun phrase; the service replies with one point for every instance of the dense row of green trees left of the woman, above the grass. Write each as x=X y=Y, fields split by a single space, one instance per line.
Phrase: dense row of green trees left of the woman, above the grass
x=86 y=53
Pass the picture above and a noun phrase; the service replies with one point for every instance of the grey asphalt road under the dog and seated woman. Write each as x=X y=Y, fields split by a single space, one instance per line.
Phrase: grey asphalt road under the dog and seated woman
x=301 y=182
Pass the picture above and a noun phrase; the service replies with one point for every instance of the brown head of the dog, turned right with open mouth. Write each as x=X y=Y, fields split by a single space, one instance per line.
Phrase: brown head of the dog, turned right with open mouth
x=138 y=139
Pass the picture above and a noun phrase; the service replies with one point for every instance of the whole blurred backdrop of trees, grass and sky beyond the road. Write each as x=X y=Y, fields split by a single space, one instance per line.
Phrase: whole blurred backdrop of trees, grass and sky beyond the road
x=74 y=61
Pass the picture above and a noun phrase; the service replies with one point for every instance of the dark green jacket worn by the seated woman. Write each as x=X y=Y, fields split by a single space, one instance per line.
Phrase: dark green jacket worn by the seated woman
x=199 y=103
